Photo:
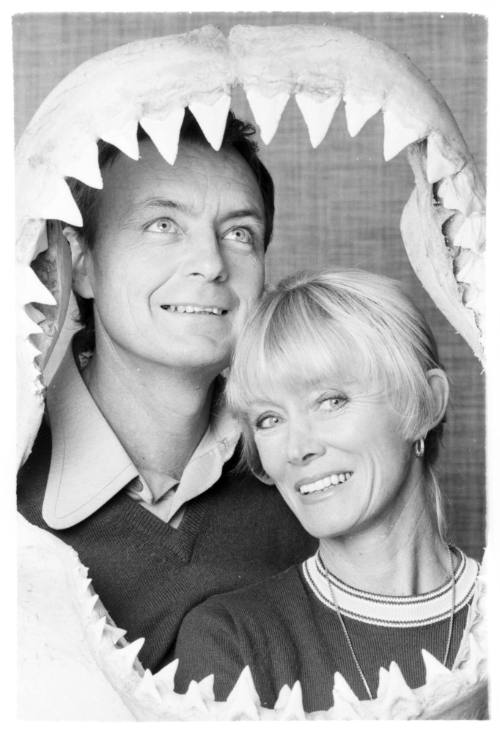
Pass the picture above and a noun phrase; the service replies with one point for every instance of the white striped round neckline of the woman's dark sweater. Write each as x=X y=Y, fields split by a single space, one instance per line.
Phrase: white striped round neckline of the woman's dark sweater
x=399 y=611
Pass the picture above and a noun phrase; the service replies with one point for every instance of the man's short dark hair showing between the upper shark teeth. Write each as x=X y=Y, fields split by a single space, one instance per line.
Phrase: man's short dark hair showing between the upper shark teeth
x=237 y=135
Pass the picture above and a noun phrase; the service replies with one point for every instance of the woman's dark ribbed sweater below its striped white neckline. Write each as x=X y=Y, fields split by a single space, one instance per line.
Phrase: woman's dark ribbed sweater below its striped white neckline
x=283 y=632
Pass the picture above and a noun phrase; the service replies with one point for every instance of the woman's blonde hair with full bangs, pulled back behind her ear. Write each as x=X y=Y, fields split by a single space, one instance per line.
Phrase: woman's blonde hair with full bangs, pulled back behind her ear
x=347 y=324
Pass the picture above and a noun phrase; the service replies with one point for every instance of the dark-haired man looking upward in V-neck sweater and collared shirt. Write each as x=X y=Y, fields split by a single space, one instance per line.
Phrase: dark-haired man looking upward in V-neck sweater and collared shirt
x=134 y=464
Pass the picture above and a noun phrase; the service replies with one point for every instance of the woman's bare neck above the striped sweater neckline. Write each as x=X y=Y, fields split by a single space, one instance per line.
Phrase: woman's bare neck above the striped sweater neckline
x=402 y=556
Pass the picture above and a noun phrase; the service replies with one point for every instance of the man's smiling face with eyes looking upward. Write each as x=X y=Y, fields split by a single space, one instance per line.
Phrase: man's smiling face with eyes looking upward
x=178 y=260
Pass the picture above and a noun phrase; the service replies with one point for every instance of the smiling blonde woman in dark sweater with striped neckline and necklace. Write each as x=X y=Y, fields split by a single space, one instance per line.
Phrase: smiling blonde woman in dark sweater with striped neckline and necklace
x=337 y=382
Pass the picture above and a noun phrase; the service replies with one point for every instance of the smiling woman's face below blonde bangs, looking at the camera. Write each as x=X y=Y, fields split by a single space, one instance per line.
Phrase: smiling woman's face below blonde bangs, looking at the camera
x=337 y=455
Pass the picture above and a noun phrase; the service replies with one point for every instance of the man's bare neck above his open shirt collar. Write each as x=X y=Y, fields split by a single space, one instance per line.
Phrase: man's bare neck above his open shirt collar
x=159 y=414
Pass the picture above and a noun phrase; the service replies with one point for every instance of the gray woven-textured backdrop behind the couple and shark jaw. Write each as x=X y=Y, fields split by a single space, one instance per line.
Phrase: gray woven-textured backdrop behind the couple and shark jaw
x=337 y=205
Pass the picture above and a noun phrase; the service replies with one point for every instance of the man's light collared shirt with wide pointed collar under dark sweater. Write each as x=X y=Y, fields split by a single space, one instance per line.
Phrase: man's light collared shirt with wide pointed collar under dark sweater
x=89 y=465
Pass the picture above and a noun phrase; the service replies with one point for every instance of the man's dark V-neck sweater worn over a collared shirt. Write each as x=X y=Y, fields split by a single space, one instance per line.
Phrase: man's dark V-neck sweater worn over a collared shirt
x=149 y=574
